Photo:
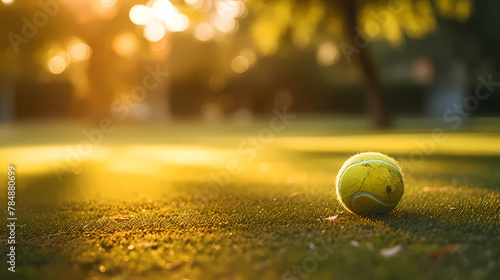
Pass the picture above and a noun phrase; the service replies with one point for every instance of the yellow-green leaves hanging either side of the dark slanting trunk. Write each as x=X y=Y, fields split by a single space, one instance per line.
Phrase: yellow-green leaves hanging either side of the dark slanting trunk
x=309 y=19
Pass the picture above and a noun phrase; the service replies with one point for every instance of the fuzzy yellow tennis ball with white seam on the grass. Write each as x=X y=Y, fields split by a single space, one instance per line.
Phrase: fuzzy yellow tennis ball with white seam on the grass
x=370 y=183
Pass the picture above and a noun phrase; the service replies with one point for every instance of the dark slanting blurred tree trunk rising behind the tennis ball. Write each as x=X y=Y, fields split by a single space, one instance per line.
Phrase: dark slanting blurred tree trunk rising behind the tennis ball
x=375 y=102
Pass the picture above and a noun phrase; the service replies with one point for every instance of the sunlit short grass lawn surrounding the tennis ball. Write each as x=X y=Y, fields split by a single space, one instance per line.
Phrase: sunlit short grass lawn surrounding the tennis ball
x=158 y=202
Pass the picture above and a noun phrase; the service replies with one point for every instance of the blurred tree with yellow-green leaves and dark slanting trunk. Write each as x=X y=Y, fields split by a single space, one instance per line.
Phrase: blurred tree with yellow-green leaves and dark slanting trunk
x=353 y=25
